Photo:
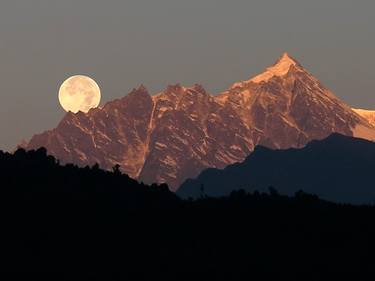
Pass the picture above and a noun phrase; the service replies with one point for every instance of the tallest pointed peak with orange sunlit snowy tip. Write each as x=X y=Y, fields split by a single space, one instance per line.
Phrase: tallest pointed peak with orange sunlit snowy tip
x=289 y=107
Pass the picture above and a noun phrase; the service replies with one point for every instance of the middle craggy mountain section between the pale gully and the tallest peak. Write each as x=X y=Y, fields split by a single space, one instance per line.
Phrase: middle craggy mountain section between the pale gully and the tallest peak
x=189 y=132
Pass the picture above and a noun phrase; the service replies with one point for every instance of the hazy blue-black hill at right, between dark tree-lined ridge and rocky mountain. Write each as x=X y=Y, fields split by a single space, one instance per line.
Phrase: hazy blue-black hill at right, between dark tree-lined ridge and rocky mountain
x=338 y=168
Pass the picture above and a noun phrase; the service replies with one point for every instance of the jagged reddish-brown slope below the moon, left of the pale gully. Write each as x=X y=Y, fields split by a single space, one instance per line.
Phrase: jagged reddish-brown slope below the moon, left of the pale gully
x=115 y=134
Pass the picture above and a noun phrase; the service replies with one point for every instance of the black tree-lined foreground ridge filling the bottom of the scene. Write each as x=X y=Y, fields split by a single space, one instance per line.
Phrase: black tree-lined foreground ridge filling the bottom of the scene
x=86 y=224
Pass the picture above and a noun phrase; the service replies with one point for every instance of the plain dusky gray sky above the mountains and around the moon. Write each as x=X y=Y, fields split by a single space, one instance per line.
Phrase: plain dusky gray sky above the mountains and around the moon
x=124 y=43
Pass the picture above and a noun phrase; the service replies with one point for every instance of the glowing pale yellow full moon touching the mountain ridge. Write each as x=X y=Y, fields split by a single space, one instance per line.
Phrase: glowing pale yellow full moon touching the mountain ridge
x=79 y=93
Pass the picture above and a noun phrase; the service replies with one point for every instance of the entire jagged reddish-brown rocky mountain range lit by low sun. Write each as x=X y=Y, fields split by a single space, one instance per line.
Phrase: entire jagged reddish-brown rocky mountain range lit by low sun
x=177 y=133
